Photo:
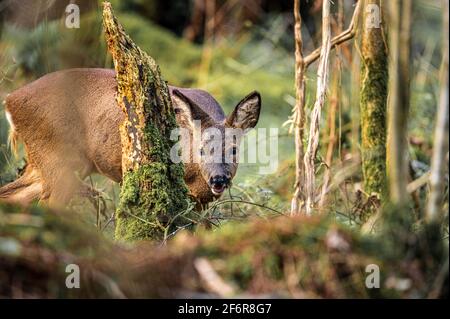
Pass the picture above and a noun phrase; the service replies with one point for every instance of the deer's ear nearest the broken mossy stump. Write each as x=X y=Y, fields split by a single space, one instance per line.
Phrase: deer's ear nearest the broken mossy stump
x=186 y=110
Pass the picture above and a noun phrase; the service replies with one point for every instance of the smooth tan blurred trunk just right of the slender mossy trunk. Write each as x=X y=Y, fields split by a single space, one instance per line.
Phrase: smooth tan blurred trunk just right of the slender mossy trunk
x=398 y=103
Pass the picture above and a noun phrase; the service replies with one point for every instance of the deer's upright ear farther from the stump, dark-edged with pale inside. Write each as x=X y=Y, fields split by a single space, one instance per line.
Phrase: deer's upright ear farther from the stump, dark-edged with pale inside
x=246 y=113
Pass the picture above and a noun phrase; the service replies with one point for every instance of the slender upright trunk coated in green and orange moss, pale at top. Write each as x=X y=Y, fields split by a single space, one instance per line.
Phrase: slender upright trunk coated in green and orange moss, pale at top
x=373 y=96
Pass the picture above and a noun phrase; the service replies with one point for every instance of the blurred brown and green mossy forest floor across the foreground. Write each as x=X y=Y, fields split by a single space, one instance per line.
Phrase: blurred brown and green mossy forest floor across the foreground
x=301 y=257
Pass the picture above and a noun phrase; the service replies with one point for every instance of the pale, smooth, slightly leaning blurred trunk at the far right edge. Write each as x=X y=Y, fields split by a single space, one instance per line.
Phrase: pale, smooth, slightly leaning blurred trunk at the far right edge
x=440 y=147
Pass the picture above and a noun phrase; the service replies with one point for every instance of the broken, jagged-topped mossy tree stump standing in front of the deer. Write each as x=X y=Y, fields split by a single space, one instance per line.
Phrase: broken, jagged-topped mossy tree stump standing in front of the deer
x=153 y=190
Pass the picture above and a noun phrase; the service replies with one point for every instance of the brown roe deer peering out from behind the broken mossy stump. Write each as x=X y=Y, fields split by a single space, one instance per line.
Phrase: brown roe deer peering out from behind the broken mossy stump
x=69 y=122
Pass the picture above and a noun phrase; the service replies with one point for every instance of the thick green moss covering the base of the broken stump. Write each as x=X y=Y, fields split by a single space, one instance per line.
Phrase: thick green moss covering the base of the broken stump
x=150 y=197
